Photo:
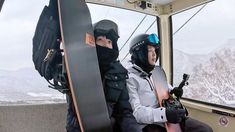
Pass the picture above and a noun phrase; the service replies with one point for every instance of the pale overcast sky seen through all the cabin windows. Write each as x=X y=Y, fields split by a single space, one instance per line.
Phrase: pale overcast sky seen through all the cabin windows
x=212 y=27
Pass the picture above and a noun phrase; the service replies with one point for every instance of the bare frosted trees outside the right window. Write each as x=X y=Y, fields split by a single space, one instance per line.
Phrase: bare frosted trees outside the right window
x=214 y=81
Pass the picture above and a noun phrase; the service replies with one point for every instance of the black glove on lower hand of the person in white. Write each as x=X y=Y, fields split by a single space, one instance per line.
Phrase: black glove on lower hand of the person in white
x=175 y=115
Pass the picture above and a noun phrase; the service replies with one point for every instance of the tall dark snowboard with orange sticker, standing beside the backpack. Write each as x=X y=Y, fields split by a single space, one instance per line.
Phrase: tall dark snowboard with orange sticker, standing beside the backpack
x=82 y=66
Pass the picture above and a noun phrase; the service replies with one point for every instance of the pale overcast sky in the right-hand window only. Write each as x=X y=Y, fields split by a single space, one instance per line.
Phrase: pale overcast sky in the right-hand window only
x=212 y=27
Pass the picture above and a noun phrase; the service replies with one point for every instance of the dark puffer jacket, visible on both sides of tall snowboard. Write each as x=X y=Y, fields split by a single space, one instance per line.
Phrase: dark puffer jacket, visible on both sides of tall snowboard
x=116 y=95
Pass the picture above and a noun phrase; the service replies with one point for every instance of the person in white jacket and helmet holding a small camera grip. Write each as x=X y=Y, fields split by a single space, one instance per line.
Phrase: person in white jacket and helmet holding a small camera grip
x=144 y=50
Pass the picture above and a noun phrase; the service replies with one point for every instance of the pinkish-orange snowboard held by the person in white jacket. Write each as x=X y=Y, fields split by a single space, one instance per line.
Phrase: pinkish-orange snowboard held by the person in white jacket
x=161 y=86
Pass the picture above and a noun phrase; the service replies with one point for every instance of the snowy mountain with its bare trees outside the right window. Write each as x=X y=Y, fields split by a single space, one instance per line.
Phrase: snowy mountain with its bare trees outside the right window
x=212 y=76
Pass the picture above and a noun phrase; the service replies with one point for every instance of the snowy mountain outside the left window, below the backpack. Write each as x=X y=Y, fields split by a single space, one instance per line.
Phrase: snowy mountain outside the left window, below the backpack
x=25 y=86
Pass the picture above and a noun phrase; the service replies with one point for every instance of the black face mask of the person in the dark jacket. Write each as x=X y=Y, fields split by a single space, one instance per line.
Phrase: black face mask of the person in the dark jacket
x=105 y=57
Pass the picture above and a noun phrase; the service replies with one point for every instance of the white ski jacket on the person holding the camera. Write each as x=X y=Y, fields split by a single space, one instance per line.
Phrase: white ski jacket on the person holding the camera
x=143 y=99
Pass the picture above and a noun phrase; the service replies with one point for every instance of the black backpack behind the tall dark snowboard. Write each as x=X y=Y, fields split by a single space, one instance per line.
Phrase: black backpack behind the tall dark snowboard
x=47 y=55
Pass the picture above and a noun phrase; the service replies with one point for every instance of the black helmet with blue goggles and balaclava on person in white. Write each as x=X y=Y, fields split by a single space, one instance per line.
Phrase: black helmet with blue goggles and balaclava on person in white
x=139 y=52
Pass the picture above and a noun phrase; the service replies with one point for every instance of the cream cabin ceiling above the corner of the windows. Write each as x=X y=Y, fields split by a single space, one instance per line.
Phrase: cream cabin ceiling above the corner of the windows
x=157 y=8
